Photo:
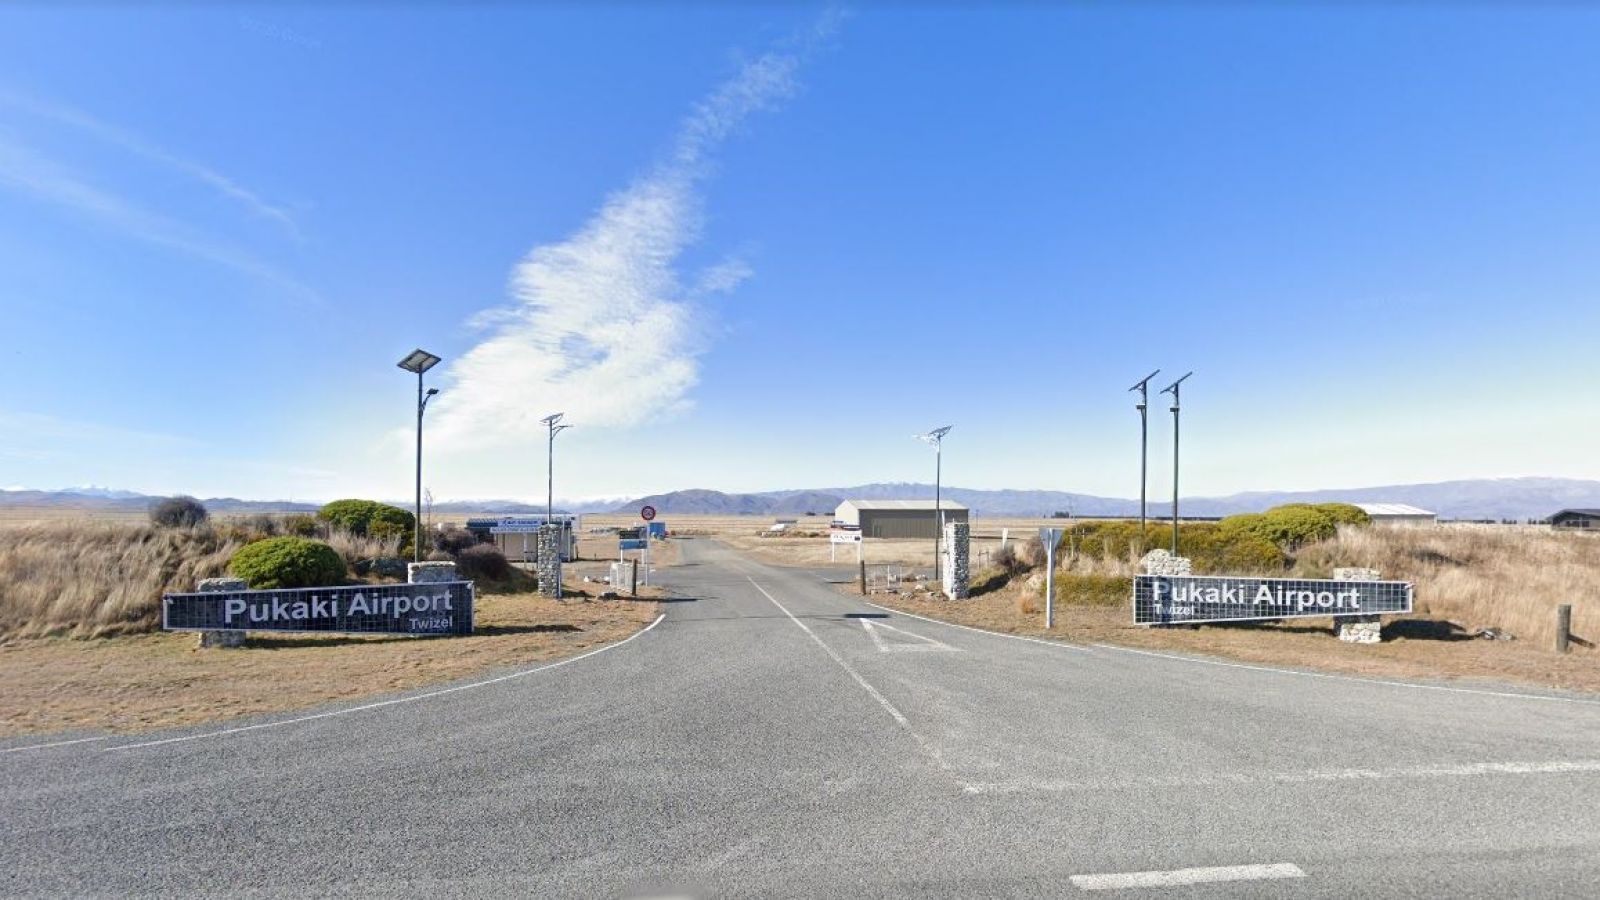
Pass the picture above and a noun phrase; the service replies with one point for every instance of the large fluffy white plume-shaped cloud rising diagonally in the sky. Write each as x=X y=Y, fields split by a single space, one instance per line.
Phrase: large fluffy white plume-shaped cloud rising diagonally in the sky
x=604 y=327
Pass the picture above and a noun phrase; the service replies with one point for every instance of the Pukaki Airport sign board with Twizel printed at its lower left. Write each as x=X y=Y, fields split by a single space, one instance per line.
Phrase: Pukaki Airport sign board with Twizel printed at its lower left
x=1194 y=598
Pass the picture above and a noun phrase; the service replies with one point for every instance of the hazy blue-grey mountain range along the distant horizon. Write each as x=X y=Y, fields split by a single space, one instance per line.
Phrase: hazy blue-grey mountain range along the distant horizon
x=1471 y=499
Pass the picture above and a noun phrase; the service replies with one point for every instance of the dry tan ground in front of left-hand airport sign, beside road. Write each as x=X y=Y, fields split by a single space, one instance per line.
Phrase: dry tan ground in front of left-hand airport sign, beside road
x=150 y=681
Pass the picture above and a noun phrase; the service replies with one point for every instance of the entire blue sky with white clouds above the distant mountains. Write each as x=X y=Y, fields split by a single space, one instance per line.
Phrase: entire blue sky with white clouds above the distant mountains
x=753 y=247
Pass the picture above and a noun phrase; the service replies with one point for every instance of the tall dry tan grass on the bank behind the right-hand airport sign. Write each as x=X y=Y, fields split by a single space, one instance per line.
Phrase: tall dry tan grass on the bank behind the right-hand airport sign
x=1479 y=576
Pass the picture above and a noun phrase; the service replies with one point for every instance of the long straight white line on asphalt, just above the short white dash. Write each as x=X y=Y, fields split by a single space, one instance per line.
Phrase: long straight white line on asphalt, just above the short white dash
x=1220 y=779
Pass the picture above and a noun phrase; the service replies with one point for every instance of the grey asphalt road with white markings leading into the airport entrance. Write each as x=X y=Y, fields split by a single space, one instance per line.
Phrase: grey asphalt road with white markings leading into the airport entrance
x=767 y=741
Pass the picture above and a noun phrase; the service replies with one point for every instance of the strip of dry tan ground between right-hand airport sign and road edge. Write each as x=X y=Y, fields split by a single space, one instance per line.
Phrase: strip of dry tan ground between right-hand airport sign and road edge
x=1414 y=648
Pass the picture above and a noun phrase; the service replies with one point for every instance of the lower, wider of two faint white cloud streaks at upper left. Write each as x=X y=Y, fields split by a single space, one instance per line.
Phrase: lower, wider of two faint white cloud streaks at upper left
x=30 y=174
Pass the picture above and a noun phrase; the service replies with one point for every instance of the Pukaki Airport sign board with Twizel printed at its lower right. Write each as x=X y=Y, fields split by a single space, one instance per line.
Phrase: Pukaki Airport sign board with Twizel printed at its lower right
x=442 y=608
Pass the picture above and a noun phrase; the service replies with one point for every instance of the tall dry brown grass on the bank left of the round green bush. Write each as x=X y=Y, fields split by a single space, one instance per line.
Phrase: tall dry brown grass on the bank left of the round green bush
x=89 y=579
